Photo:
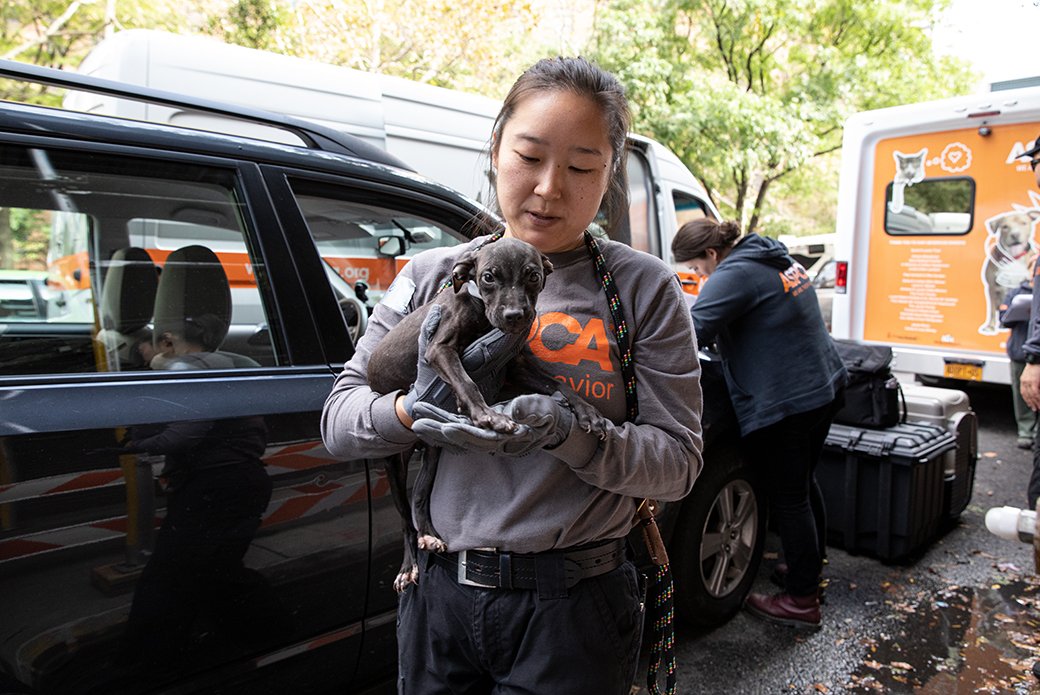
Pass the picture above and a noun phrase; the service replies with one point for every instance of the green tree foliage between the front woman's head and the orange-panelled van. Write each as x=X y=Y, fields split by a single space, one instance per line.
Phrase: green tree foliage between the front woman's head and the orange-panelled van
x=749 y=92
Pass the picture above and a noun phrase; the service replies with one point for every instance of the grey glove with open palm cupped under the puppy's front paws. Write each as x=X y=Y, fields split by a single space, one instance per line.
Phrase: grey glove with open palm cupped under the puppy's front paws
x=544 y=423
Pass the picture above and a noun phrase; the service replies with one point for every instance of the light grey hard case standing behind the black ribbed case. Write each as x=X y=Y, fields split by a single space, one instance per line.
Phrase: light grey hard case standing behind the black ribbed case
x=950 y=409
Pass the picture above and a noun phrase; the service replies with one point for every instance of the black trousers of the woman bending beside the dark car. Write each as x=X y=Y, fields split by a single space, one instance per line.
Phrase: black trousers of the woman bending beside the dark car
x=786 y=455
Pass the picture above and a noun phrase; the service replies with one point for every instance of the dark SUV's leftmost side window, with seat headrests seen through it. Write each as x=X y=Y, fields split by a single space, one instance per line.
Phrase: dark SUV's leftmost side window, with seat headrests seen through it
x=131 y=266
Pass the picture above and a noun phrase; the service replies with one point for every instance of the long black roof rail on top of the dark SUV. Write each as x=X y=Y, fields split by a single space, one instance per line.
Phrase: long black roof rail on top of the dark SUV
x=314 y=135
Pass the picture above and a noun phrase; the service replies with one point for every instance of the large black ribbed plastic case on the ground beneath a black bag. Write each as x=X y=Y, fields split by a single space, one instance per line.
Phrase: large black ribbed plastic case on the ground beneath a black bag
x=883 y=490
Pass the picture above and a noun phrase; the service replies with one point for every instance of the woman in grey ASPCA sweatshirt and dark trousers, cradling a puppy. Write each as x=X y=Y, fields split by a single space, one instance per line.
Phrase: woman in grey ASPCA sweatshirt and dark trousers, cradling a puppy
x=527 y=514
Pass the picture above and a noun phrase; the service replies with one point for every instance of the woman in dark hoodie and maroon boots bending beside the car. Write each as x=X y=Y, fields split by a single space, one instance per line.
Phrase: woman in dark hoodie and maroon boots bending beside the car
x=787 y=382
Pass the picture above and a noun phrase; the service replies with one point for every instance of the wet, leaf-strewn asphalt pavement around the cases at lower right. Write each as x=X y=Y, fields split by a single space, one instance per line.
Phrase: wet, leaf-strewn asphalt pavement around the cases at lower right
x=959 y=616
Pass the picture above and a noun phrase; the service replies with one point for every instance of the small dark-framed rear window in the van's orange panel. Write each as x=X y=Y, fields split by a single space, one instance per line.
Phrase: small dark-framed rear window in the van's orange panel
x=931 y=208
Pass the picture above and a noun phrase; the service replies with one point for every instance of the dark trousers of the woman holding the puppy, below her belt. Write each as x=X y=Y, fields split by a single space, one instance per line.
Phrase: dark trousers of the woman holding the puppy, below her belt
x=461 y=639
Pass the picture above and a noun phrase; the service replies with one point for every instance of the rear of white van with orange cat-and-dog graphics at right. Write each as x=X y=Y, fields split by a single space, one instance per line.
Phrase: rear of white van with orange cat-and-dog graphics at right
x=938 y=215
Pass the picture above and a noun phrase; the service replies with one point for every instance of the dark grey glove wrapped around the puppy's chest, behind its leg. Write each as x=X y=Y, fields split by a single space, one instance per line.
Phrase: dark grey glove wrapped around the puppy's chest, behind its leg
x=485 y=361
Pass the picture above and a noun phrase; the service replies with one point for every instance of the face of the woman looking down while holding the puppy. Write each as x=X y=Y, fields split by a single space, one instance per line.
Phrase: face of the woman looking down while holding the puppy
x=554 y=168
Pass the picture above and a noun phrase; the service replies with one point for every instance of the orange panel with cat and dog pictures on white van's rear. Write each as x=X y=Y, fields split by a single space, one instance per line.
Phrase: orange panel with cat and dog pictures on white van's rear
x=953 y=226
